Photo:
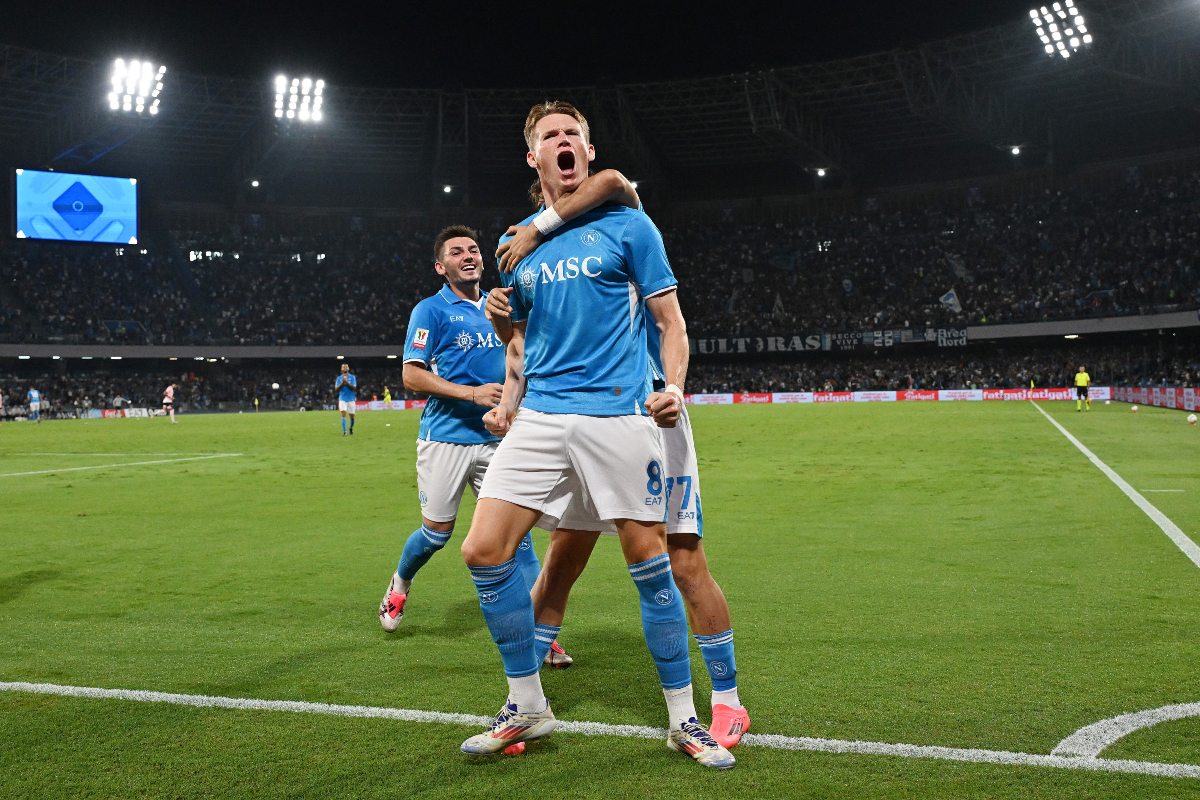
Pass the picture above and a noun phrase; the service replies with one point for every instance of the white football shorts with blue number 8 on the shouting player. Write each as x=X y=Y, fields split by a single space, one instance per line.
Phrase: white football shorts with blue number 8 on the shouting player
x=610 y=466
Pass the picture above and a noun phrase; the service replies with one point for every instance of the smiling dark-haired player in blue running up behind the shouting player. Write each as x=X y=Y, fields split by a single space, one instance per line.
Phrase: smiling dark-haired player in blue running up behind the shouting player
x=453 y=356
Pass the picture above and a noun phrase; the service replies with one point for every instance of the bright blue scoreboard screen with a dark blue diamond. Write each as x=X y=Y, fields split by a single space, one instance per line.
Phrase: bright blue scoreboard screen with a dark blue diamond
x=76 y=208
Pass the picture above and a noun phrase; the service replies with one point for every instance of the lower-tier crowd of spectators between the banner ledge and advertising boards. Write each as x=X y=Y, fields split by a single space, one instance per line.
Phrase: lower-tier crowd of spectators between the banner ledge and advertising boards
x=235 y=388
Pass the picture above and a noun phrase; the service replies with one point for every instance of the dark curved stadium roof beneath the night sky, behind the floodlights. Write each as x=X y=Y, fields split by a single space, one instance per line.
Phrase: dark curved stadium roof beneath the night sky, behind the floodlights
x=949 y=107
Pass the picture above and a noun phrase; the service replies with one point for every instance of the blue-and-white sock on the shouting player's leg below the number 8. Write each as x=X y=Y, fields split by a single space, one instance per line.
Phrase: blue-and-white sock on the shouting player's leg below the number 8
x=665 y=625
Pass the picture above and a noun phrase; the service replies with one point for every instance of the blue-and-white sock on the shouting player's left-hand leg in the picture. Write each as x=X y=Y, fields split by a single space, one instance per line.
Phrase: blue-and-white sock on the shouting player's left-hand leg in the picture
x=508 y=610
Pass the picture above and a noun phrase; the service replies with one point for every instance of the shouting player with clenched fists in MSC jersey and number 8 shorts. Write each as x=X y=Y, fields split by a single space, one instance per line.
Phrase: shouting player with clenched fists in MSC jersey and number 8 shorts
x=585 y=434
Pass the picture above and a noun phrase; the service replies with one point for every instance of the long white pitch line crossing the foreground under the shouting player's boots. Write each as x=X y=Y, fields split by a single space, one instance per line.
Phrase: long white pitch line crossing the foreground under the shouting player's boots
x=641 y=732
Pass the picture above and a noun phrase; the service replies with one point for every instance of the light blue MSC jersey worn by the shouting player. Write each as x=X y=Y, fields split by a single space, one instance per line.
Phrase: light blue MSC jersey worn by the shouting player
x=583 y=293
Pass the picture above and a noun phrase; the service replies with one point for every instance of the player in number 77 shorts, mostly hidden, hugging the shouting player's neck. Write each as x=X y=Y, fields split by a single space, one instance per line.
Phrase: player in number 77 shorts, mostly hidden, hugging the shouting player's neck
x=572 y=545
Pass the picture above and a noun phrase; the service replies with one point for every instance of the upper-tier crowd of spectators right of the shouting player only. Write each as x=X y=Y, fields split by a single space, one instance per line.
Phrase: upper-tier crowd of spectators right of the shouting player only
x=1061 y=255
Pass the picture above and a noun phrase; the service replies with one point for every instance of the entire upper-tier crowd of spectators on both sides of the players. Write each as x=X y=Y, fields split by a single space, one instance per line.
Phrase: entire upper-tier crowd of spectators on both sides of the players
x=1059 y=255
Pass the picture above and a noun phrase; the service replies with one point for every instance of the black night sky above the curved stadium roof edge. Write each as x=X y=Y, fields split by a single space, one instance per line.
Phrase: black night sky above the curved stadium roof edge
x=499 y=45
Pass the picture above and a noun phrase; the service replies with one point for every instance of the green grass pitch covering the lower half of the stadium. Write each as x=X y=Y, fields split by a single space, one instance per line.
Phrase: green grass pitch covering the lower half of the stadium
x=931 y=574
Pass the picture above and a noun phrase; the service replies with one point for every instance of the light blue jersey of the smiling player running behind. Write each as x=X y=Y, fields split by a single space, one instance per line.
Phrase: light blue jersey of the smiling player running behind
x=453 y=338
